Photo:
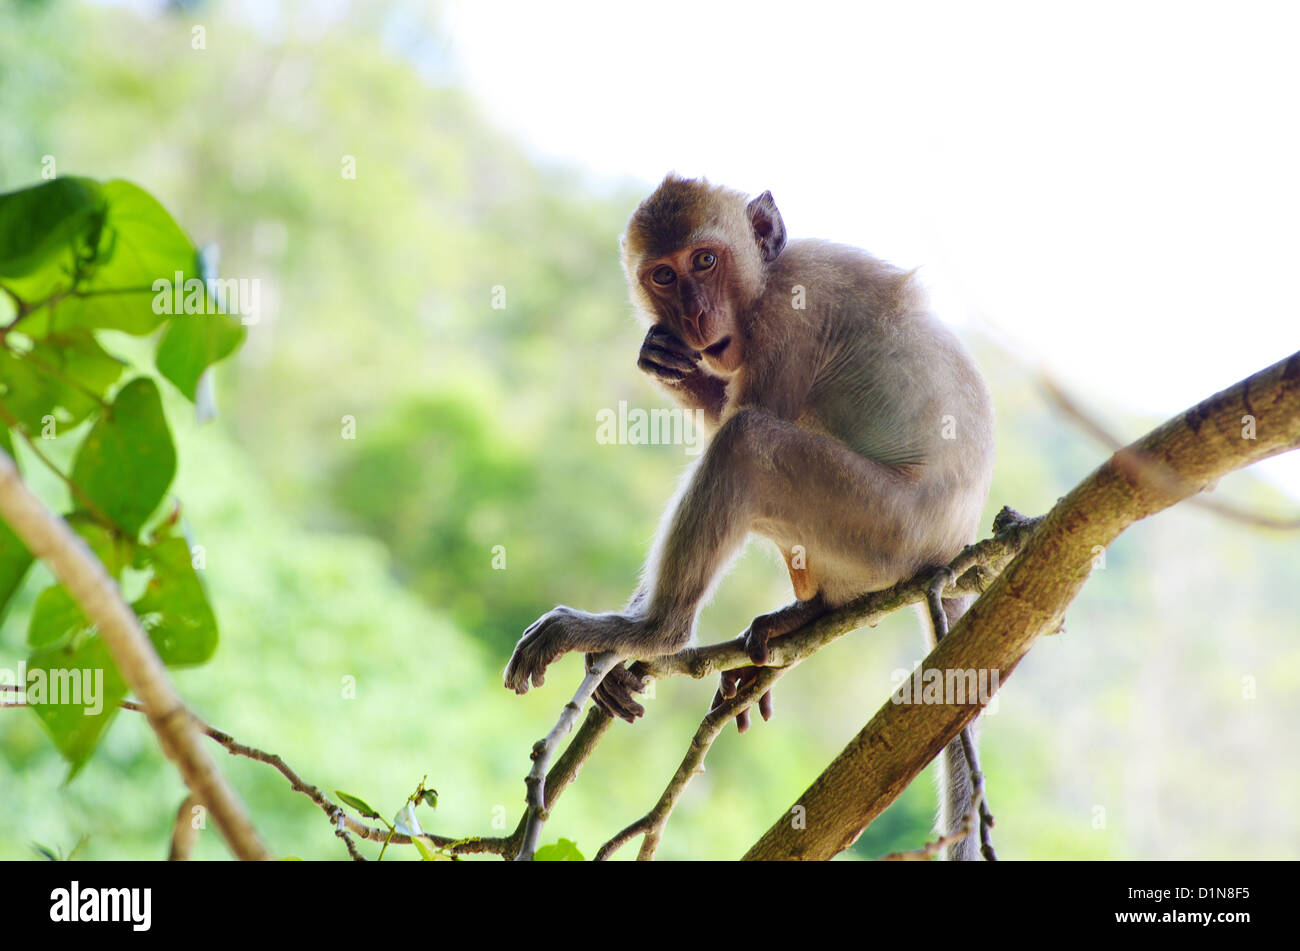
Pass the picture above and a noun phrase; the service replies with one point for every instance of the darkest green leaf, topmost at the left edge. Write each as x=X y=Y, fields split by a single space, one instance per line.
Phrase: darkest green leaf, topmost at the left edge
x=45 y=231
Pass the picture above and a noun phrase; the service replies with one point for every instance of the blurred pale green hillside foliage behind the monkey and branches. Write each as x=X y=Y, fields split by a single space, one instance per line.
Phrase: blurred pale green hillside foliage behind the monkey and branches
x=1158 y=727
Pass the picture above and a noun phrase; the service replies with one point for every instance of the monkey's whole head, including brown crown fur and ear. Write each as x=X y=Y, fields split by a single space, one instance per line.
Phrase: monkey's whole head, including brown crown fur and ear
x=696 y=257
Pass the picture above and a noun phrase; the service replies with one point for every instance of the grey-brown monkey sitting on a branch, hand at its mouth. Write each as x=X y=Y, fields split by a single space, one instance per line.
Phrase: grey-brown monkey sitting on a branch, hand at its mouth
x=847 y=425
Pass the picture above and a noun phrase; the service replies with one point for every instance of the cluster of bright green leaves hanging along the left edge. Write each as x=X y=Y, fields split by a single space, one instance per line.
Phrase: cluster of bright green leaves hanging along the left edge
x=79 y=259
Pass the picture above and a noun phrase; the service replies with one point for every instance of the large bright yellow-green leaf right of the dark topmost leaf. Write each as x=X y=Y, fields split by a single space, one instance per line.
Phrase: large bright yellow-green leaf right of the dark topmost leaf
x=141 y=244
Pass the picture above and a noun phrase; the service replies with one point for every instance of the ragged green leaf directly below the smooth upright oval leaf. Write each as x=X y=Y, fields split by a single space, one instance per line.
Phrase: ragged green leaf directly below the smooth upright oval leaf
x=175 y=607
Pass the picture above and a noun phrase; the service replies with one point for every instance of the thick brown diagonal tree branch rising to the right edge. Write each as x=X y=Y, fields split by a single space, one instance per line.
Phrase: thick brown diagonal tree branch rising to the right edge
x=1184 y=457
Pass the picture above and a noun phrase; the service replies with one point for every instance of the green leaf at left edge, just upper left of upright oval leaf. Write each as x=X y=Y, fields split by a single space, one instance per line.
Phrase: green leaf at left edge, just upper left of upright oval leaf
x=58 y=379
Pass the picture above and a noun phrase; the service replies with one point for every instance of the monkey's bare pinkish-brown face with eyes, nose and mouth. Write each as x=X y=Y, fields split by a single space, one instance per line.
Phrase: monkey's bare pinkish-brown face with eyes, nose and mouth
x=691 y=294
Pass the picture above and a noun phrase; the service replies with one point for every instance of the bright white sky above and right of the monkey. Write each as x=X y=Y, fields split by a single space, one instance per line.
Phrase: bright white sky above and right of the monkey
x=1116 y=186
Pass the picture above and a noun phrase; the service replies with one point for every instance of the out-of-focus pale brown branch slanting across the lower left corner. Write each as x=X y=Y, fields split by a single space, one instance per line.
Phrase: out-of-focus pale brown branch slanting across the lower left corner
x=51 y=540
